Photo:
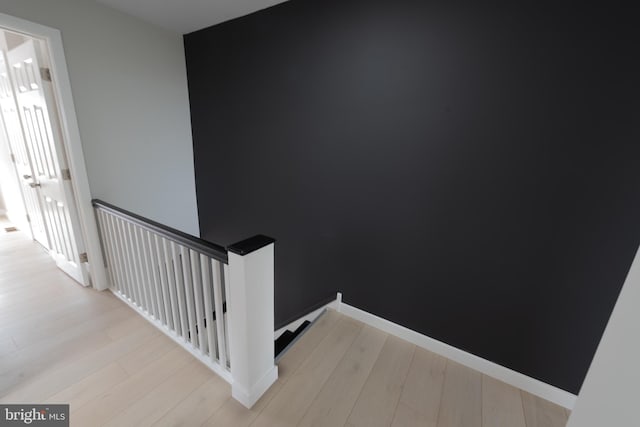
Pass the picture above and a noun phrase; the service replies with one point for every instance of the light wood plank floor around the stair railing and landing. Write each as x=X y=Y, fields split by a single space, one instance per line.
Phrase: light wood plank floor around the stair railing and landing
x=61 y=343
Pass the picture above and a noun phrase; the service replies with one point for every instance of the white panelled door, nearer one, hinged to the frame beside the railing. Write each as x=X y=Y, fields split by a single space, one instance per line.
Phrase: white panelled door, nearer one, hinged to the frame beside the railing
x=37 y=109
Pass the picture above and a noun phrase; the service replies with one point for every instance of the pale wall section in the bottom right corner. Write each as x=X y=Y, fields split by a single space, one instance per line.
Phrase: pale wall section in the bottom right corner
x=609 y=395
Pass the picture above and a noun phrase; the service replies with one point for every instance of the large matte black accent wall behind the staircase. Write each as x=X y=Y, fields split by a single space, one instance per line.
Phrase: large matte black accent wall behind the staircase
x=469 y=171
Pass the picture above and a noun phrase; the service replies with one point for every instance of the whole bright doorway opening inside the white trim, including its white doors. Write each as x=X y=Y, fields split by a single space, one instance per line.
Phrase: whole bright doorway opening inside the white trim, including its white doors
x=36 y=181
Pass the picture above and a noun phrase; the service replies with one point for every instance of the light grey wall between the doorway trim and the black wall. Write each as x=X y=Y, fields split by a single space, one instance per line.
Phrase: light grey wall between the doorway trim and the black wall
x=130 y=90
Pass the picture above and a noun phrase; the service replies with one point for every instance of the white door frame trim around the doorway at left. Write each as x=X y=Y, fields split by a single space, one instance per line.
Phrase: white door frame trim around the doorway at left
x=71 y=140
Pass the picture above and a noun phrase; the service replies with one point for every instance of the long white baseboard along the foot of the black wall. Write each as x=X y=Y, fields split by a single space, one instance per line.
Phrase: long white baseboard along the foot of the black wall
x=509 y=376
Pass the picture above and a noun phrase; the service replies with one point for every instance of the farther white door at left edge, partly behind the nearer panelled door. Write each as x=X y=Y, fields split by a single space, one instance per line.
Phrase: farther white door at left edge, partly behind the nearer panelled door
x=21 y=158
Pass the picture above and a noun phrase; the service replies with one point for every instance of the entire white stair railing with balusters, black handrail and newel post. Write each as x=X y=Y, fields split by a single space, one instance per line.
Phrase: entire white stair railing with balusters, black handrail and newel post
x=216 y=302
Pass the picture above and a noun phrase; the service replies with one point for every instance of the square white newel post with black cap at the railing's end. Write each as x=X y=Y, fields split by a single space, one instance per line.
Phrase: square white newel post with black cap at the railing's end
x=250 y=318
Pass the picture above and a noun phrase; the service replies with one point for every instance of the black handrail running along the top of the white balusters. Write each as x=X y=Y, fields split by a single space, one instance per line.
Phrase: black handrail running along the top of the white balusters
x=207 y=248
